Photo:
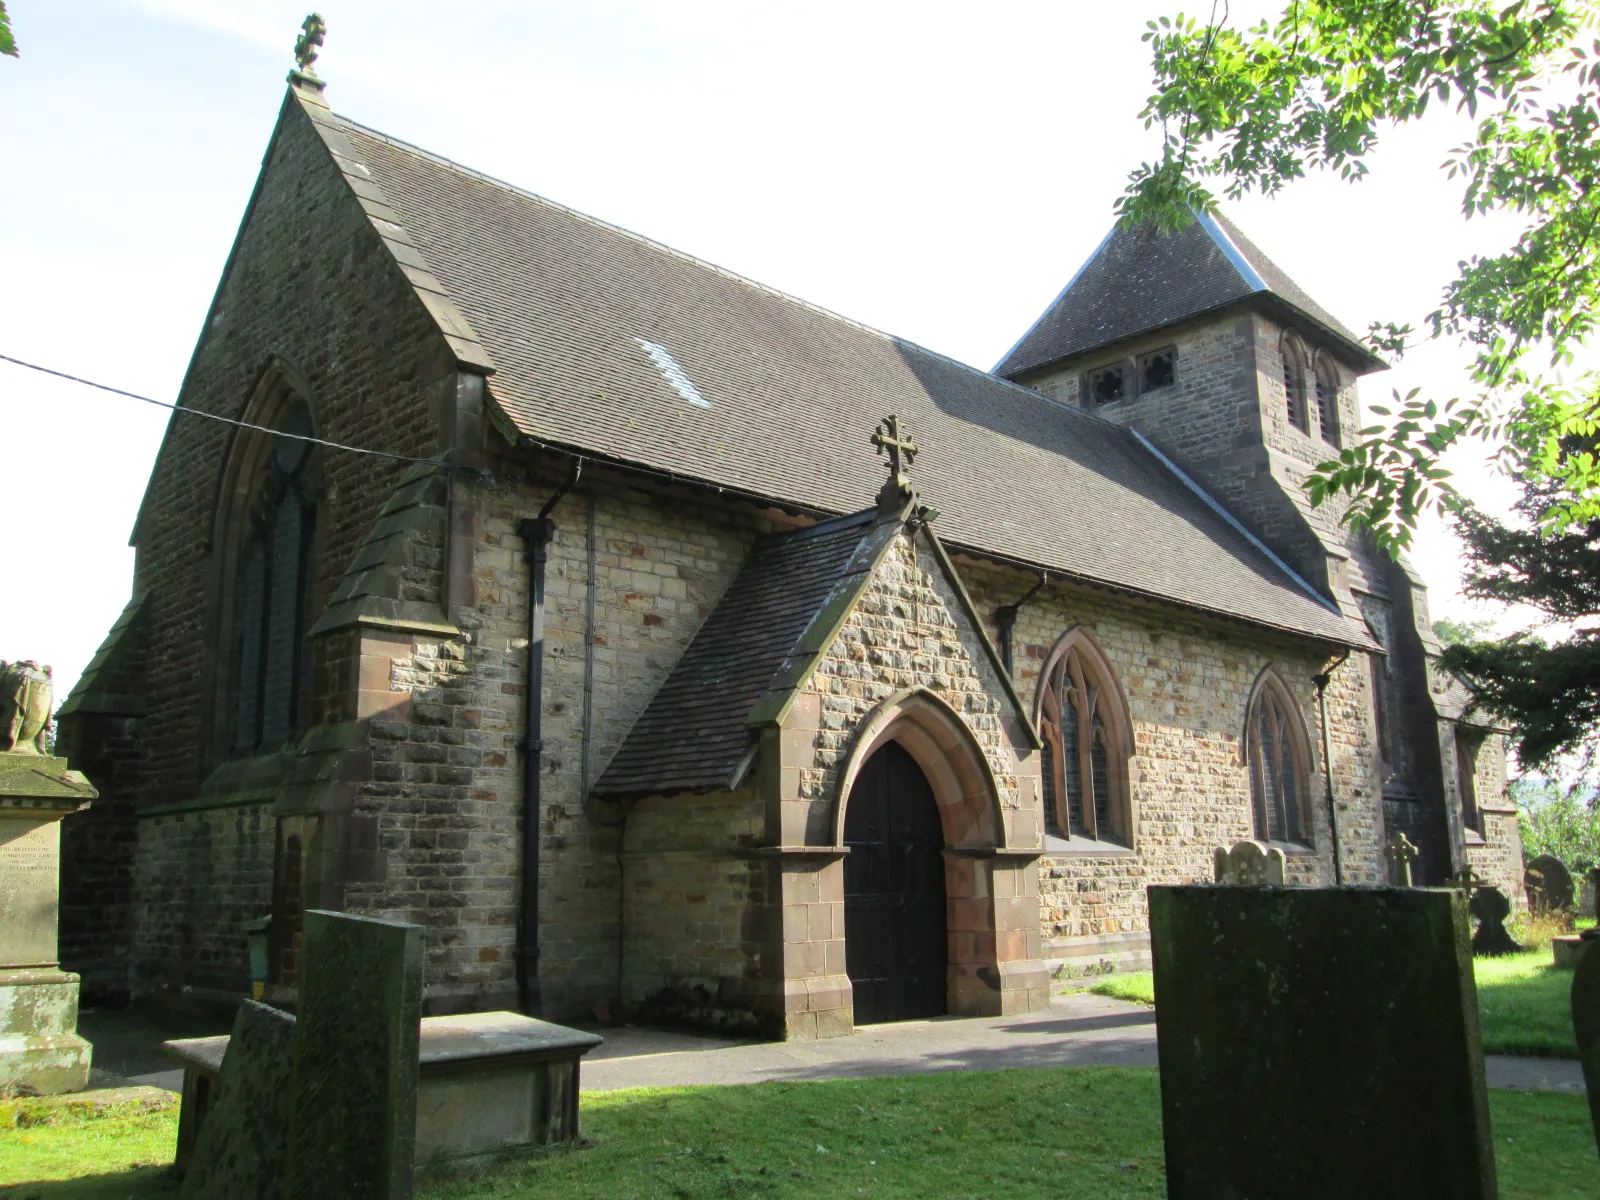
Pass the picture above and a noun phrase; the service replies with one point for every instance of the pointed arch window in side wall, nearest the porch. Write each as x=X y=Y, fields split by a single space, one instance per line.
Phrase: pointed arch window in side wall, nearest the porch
x=1087 y=745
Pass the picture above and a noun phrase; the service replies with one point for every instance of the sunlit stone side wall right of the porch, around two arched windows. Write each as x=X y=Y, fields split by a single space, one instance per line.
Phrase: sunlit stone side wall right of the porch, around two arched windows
x=1188 y=682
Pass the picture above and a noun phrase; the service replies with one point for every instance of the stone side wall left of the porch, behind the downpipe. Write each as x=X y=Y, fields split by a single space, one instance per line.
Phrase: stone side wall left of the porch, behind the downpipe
x=662 y=564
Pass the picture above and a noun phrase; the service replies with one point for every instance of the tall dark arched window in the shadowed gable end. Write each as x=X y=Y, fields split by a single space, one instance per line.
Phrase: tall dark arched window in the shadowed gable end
x=273 y=596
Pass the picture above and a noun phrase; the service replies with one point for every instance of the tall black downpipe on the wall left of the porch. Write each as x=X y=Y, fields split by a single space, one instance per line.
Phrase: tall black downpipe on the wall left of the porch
x=537 y=535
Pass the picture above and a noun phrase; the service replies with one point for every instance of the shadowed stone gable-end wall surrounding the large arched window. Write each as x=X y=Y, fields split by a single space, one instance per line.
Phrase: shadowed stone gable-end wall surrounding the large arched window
x=310 y=282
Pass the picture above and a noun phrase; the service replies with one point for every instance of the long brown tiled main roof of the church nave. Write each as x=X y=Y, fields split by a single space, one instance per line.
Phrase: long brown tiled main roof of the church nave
x=612 y=345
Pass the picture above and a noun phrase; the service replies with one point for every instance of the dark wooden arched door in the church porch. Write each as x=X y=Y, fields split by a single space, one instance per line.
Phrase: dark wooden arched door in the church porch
x=895 y=922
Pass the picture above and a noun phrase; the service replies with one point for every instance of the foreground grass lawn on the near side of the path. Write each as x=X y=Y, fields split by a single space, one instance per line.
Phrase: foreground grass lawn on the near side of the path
x=1089 y=1132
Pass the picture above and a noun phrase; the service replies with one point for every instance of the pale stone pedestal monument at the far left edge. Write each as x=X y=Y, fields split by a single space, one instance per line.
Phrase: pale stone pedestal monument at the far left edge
x=41 y=1050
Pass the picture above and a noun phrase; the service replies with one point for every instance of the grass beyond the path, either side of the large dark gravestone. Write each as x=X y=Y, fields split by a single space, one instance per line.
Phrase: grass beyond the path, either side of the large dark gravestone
x=1524 y=1002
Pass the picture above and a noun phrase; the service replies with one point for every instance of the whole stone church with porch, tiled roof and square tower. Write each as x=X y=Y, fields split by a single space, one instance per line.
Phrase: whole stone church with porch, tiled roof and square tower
x=673 y=649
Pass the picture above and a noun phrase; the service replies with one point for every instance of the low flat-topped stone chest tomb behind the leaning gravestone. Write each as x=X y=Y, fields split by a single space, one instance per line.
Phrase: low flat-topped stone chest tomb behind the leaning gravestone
x=487 y=1082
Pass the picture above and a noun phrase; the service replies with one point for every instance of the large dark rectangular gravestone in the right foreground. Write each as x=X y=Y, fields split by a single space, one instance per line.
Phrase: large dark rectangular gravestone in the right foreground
x=1319 y=1042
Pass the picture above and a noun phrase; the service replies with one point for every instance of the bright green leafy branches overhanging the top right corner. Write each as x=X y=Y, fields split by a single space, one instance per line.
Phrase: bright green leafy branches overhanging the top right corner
x=1254 y=111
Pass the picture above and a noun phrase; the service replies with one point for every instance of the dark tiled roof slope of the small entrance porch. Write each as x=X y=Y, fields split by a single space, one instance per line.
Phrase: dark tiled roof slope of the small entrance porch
x=695 y=734
